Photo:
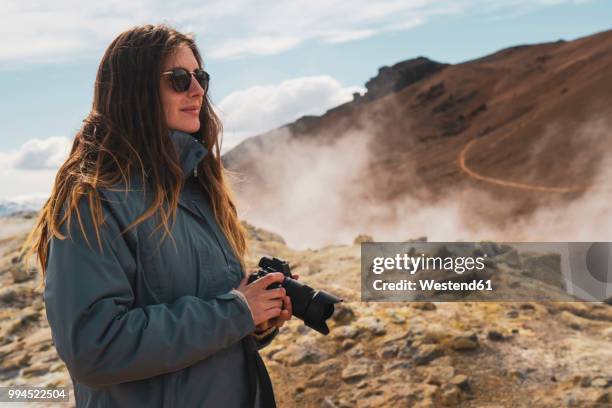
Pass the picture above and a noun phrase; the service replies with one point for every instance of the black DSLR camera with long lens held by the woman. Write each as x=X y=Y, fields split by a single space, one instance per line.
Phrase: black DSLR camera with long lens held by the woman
x=312 y=306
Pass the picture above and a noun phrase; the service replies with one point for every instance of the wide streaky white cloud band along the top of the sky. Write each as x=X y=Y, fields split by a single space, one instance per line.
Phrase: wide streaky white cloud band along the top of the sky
x=39 y=31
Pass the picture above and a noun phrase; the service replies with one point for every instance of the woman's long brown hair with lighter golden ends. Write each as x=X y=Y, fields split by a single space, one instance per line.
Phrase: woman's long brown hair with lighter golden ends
x=126 y=133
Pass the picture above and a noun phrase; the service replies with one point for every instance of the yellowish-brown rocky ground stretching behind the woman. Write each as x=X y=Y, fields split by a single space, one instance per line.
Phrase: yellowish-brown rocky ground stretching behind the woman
x=468 y=354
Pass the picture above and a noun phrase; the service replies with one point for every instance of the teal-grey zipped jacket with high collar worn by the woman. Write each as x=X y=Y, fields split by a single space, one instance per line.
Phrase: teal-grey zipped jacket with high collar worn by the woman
x=140 y=324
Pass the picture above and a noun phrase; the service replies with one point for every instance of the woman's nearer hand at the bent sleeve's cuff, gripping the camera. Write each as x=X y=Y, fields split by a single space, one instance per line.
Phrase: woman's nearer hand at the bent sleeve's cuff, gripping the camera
x=265 y=304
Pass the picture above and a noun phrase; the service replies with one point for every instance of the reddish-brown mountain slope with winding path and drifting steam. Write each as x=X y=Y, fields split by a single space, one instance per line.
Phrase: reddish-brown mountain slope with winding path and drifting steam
x=523 y=128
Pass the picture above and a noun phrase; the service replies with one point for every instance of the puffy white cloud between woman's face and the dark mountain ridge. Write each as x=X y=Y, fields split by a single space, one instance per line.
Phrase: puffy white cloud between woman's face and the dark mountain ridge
x=263 y=107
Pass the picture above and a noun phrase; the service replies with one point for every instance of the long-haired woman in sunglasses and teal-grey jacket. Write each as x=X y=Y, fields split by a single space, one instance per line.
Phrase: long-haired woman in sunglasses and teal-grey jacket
x=141 y=248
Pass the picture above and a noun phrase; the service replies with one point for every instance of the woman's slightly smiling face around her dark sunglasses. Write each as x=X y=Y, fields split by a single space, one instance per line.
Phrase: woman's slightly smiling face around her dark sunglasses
x=182 y=110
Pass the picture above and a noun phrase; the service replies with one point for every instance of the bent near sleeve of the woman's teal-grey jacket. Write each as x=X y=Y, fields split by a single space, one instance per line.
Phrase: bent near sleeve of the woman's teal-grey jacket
x=99 y=333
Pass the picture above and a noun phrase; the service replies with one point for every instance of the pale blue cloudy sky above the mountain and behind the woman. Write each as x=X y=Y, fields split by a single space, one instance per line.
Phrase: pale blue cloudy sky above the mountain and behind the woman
x=270 y=62
